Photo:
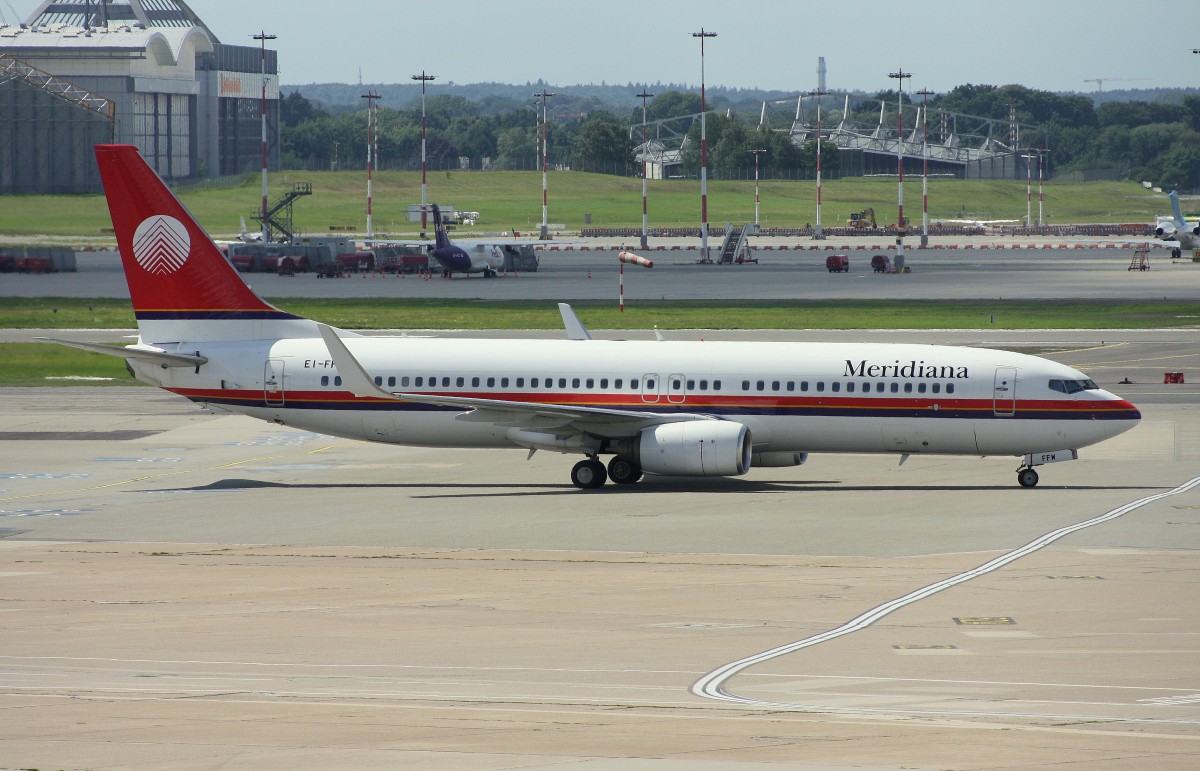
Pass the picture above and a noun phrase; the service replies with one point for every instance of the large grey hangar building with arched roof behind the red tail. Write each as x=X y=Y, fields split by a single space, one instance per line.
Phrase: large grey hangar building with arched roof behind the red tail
x=142 y=73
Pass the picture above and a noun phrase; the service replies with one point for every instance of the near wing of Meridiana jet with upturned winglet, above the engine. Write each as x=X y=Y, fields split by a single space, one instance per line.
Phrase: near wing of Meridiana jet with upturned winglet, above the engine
x=603 y=421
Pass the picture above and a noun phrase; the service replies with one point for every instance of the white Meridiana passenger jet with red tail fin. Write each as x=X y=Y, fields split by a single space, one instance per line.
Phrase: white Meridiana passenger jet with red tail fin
x=663 y=408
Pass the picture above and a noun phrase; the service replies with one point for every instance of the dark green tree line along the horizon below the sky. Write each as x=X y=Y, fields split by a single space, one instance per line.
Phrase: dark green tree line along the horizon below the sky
x=1154 y=141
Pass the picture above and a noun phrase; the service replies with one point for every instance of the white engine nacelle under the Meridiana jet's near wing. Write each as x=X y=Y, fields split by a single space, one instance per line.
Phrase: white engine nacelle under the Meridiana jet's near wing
x=697 y=449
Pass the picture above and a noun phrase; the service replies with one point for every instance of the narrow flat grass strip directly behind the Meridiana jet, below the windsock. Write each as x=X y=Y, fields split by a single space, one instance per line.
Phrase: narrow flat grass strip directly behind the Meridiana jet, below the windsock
x=457 y=314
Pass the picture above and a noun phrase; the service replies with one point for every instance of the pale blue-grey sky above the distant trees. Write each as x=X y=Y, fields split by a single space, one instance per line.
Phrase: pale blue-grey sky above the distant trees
x=1051 y=45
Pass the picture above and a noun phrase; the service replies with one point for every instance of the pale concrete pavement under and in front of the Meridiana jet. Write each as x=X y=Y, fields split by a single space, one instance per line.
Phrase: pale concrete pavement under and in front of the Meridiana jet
x=196 y=591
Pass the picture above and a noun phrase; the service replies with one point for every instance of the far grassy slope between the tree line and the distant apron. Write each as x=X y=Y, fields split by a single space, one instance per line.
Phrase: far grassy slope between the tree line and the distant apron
x=513 y=201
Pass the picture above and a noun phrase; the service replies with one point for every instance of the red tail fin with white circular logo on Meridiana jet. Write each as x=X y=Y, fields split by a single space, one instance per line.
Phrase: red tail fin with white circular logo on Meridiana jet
x=173 y=268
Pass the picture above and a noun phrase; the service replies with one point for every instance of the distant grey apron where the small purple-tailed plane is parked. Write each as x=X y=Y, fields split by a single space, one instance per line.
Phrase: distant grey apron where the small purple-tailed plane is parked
x=947 y=273
